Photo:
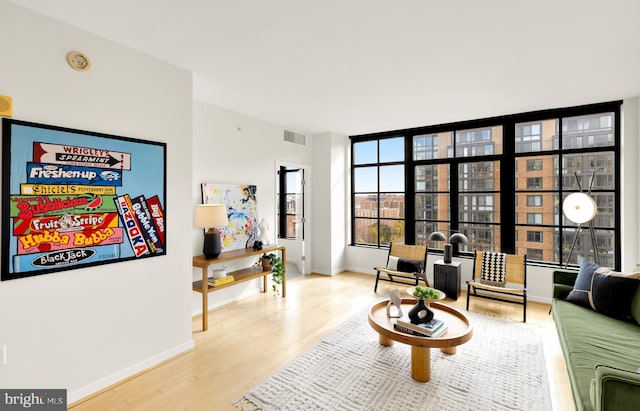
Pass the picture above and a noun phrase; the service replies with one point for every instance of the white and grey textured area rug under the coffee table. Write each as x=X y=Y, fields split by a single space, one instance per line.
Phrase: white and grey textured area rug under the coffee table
x=502 y=367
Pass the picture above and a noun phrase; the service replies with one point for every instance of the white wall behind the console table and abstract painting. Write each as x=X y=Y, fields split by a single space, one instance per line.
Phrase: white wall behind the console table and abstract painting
x=232 y=148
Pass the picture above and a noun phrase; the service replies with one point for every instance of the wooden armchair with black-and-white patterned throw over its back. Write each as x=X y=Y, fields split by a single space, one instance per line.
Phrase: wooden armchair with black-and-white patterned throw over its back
x=499 y=277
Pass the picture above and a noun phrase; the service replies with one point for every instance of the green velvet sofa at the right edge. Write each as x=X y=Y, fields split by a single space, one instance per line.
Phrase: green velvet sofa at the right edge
x=602 y=353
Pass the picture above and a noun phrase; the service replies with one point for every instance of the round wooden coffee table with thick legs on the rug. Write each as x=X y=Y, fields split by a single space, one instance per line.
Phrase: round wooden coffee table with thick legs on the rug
x=459 y=331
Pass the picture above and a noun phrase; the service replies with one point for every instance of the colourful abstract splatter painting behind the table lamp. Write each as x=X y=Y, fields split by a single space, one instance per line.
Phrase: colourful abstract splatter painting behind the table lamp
x=242 y=211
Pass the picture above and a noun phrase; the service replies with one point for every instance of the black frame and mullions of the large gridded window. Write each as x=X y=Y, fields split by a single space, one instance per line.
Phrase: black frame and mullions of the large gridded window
x=507 y=161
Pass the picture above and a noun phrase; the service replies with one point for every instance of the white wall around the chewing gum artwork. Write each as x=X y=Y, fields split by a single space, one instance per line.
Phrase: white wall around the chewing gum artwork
x=88 y=328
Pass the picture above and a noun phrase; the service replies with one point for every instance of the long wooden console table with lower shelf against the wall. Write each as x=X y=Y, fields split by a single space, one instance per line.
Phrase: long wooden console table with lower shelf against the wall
x=240 y=276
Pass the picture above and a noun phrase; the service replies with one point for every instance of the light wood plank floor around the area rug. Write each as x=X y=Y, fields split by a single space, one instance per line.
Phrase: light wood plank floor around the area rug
x=251 y=338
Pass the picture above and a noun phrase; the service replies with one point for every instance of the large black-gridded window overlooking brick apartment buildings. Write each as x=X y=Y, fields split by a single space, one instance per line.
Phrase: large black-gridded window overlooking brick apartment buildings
x=500 y=181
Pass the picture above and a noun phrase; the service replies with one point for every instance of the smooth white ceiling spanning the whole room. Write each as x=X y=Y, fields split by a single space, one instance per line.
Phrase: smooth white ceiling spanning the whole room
x=359 y=66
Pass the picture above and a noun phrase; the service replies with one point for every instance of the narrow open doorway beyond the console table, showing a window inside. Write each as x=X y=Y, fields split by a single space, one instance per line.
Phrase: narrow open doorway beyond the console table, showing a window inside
x=292 y=205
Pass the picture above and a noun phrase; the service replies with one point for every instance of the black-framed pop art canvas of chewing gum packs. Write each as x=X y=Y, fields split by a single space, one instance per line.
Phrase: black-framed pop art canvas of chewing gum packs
x=73 y=198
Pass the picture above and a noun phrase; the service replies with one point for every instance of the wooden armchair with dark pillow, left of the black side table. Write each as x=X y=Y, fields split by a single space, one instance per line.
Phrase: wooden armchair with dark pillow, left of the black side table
x=405 y=264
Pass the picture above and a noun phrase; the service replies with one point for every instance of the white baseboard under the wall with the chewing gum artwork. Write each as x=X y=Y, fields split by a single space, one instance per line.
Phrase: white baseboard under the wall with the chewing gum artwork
x=105 y=382
